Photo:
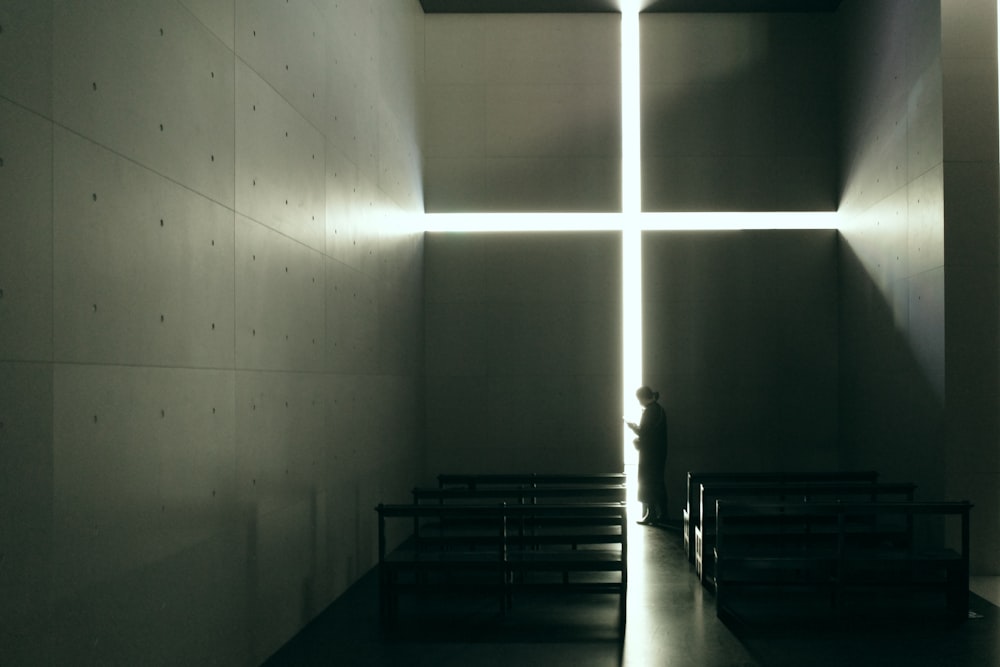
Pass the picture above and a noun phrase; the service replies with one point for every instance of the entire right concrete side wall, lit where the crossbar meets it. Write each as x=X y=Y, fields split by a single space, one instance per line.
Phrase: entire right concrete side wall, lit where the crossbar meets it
x=919 y=198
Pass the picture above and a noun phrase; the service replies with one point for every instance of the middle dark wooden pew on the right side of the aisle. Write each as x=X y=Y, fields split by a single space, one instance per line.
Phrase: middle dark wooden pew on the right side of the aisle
x=710 y=492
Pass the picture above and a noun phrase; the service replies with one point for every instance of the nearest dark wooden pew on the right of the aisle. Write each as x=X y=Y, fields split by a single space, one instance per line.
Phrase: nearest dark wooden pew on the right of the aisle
x=874 y=560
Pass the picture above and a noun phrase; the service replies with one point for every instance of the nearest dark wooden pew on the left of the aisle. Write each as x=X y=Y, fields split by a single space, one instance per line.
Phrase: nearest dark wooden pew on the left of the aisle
x=472 y=549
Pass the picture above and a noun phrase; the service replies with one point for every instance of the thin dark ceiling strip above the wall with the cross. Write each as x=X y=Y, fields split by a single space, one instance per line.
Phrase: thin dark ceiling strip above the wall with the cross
x=590 y=6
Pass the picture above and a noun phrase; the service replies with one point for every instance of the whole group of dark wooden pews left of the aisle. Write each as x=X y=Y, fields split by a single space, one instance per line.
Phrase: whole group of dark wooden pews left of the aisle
x=504 y=541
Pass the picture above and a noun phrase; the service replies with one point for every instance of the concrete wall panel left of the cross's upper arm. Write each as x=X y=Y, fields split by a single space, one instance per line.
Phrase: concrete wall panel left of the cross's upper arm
x=523 y=112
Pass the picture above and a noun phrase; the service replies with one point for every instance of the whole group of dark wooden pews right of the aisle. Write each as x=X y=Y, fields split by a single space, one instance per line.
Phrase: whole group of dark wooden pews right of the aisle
x=844 y=537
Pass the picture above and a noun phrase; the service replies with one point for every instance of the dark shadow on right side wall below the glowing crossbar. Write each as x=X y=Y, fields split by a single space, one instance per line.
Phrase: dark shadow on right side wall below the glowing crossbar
x=891 y=380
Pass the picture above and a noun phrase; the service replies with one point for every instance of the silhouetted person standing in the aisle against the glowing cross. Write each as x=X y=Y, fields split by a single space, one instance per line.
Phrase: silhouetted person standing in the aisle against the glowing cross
x=651 y=441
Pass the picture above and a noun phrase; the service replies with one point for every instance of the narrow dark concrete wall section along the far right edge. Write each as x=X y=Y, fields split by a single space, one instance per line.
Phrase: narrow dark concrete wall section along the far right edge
x=972 y=262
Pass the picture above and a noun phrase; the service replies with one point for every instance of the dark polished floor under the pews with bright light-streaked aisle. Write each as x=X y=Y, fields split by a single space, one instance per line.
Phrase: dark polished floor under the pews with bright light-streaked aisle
x=671 y=621
